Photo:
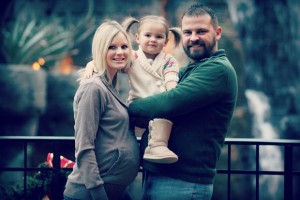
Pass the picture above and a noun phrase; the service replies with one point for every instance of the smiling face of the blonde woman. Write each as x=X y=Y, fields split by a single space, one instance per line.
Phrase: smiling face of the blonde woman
x=118 y=54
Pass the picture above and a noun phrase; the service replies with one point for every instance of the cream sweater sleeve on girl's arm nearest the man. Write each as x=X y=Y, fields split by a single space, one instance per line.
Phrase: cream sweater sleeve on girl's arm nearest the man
x=171 y=70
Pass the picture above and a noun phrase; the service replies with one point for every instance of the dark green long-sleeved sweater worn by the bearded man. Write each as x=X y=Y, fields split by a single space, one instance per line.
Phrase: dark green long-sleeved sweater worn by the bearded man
x=201 y=108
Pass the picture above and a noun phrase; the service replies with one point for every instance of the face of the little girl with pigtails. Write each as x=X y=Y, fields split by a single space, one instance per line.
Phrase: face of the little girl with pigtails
x=151 y=38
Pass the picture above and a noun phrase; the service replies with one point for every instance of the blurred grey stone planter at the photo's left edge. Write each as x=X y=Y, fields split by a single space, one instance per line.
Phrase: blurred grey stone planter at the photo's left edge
x=22 y=99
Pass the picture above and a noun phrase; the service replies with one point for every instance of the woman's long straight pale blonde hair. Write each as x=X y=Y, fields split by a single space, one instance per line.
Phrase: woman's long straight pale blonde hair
x=101 y=41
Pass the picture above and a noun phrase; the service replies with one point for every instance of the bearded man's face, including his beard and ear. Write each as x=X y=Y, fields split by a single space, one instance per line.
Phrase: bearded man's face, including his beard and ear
x=199 y=38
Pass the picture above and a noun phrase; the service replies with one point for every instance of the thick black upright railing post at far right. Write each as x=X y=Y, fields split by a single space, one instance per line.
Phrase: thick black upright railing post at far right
x=288 y=175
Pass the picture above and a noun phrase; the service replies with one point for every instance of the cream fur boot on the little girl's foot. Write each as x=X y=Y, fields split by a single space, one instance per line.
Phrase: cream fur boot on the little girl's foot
x=157 y=150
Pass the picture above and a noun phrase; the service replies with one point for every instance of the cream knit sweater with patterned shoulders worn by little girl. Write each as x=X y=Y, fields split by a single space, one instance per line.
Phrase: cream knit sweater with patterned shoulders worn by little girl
x=148 y=77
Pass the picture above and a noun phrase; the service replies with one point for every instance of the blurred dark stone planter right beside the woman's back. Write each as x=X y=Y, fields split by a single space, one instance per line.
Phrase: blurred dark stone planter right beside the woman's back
x=58 y=118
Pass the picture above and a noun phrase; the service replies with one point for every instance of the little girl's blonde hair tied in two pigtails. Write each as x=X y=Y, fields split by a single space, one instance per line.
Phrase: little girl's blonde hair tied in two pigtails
x=129 y=21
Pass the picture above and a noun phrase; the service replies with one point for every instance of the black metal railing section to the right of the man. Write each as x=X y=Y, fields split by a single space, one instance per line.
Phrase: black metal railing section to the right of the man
x=288 y=172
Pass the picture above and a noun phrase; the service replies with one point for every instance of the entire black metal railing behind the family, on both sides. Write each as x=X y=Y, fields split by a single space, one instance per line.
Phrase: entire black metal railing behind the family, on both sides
x=57 y=145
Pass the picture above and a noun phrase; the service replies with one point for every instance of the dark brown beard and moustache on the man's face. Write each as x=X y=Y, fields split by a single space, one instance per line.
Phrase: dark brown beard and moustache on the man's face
x=199 y=55
